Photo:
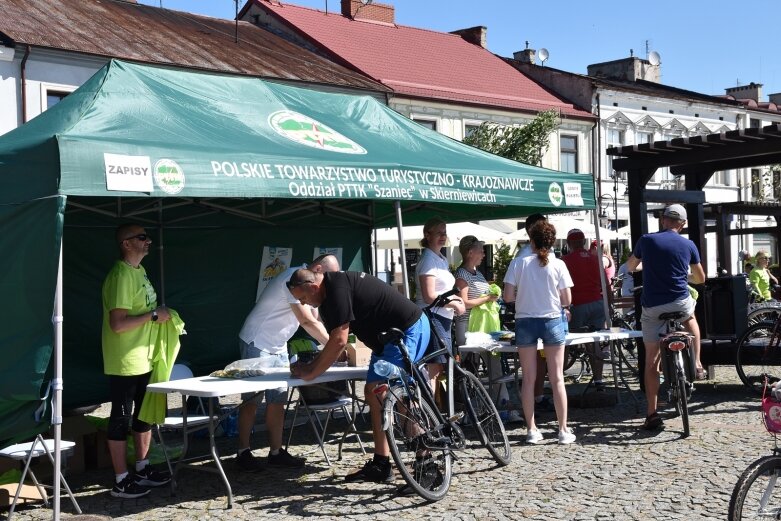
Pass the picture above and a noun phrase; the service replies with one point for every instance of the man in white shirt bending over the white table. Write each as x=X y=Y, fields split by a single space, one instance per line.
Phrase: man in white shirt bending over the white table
x=271 y=323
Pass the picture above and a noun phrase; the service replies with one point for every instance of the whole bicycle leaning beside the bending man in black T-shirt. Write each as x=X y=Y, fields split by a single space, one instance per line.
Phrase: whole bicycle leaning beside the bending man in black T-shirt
x=422 y=439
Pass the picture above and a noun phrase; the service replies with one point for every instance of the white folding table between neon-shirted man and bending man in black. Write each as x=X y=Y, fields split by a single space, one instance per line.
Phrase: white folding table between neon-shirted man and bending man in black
x=213 y=387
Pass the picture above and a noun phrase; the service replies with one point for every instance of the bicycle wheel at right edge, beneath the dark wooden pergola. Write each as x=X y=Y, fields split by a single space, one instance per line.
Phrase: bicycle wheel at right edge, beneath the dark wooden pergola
x=756 y=358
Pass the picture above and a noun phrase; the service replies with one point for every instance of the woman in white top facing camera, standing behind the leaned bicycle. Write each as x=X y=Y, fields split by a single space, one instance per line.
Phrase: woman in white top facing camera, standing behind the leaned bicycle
x=434 y=278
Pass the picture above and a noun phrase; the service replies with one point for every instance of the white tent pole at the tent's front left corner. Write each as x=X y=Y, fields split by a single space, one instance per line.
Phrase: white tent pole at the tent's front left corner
x=57 y=388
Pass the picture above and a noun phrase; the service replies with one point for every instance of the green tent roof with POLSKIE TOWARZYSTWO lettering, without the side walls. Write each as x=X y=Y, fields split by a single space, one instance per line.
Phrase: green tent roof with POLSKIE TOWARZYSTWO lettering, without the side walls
x=190 y=137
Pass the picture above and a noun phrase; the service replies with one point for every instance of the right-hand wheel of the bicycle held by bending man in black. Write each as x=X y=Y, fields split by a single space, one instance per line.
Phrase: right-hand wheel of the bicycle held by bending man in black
x=485 y=418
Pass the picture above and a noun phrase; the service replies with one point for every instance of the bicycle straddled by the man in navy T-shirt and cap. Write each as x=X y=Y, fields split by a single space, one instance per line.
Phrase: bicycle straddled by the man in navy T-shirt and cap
x=677 y=365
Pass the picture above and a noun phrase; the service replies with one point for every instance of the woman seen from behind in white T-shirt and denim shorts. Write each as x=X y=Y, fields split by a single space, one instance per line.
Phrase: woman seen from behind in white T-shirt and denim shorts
x=540 y=286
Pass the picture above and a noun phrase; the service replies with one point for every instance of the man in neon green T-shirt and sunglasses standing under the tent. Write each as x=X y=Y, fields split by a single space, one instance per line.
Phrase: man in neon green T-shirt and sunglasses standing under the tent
x=130 y=312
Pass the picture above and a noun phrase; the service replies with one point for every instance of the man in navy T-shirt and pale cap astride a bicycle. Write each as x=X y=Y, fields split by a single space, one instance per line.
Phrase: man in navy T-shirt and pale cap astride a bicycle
x=667 y=258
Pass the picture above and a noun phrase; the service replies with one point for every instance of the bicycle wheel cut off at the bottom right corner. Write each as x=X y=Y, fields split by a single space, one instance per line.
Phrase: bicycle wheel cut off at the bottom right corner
x=757 y=494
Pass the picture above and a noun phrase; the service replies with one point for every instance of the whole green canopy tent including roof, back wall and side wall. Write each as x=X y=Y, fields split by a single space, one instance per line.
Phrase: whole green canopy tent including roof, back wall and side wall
x=222 y=166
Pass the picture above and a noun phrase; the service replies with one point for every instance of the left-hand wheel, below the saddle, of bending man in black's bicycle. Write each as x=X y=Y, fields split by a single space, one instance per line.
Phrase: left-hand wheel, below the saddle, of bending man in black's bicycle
x=415 y=436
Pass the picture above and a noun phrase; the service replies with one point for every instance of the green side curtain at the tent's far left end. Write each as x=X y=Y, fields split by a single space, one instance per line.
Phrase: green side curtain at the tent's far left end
x=31 y=241
